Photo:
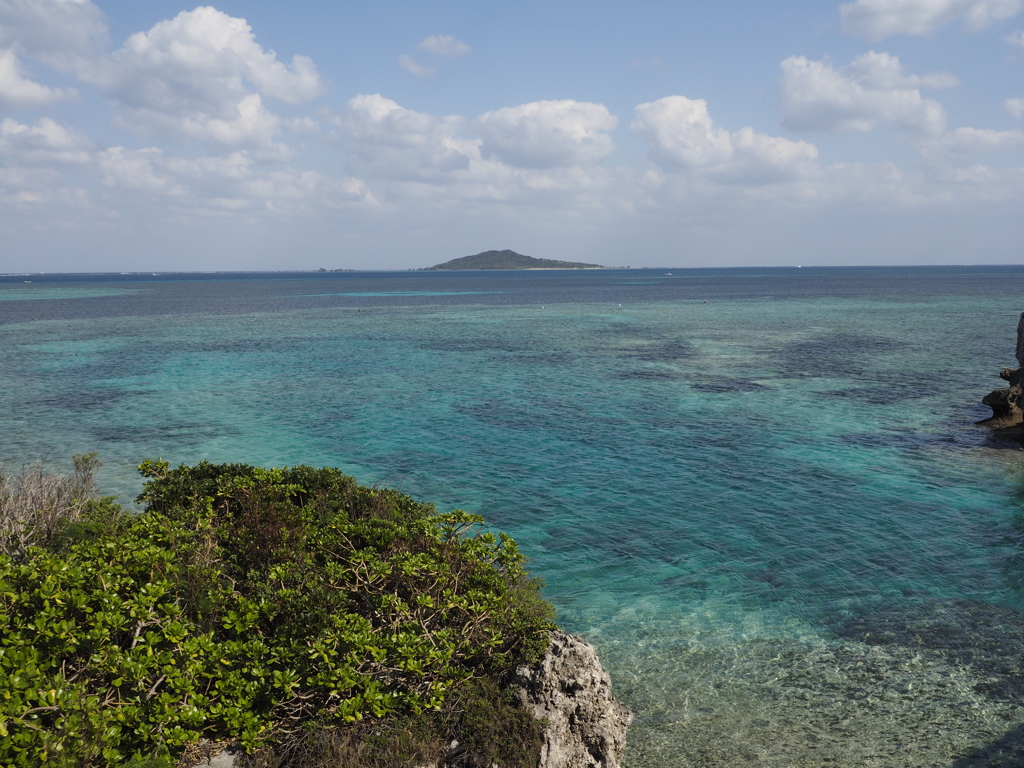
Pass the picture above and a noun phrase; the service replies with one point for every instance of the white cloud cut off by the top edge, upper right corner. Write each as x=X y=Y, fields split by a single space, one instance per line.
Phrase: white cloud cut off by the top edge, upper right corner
x=876 y=20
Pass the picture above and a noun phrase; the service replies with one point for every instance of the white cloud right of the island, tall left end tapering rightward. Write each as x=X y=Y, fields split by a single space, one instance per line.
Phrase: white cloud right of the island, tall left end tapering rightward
x=681 y=136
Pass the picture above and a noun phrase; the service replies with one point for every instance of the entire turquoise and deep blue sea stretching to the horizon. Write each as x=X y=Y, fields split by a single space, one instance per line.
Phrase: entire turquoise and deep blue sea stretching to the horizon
x=760 y=493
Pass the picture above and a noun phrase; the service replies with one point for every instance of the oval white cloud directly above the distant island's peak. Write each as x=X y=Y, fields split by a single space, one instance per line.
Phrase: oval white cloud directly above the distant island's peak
x=547 y=135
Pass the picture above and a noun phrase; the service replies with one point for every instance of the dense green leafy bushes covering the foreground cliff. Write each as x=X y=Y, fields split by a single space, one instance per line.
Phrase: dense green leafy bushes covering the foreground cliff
x=291 y=613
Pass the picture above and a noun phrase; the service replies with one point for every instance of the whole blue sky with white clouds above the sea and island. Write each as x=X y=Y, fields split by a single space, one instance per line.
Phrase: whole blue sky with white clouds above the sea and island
x=399 y=135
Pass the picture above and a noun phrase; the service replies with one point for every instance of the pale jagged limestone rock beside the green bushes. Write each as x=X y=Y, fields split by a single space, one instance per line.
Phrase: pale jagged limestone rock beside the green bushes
x=570 y=690
